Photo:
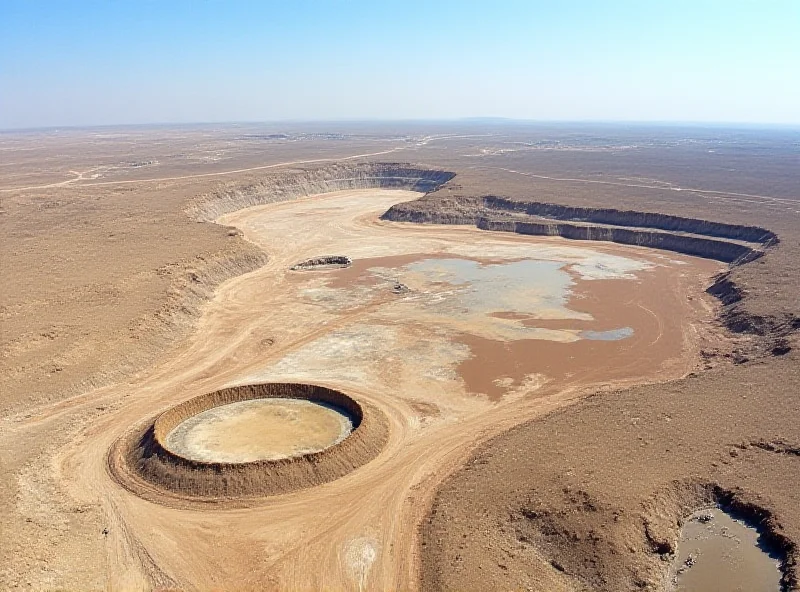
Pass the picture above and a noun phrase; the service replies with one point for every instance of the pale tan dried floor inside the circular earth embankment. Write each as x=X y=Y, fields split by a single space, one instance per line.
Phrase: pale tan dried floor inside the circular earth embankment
x=260 y=429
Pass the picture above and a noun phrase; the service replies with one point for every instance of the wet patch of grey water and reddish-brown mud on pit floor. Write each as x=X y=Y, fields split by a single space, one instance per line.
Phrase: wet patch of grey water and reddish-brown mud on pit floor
x=549 y=323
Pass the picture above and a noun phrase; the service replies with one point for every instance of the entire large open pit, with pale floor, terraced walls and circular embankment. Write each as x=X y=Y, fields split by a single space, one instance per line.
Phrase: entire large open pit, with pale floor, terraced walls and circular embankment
x=498 y=321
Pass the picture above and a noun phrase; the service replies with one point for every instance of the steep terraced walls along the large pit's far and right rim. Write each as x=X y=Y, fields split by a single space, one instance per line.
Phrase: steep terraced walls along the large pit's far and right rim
x=635 y=228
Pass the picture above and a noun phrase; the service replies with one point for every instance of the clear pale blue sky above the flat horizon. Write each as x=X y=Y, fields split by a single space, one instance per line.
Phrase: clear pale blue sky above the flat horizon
x=147 y=61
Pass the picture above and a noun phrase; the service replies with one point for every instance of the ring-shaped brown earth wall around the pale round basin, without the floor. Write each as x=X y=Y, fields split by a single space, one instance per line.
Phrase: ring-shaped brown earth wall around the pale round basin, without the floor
x=143 y=463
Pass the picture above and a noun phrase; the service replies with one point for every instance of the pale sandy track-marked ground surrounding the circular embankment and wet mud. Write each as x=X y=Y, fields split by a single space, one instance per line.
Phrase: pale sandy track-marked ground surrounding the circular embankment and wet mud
x=360 y=531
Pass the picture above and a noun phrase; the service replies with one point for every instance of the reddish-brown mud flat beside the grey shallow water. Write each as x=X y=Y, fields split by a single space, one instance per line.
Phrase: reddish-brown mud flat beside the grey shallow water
x=613 y=305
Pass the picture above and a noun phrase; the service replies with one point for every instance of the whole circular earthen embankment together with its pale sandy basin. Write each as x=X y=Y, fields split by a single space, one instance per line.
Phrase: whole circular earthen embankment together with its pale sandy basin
x=155 y=461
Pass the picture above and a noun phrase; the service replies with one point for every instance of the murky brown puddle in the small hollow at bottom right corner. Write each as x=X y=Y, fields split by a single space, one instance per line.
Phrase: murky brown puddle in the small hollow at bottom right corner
x=720 y=553
